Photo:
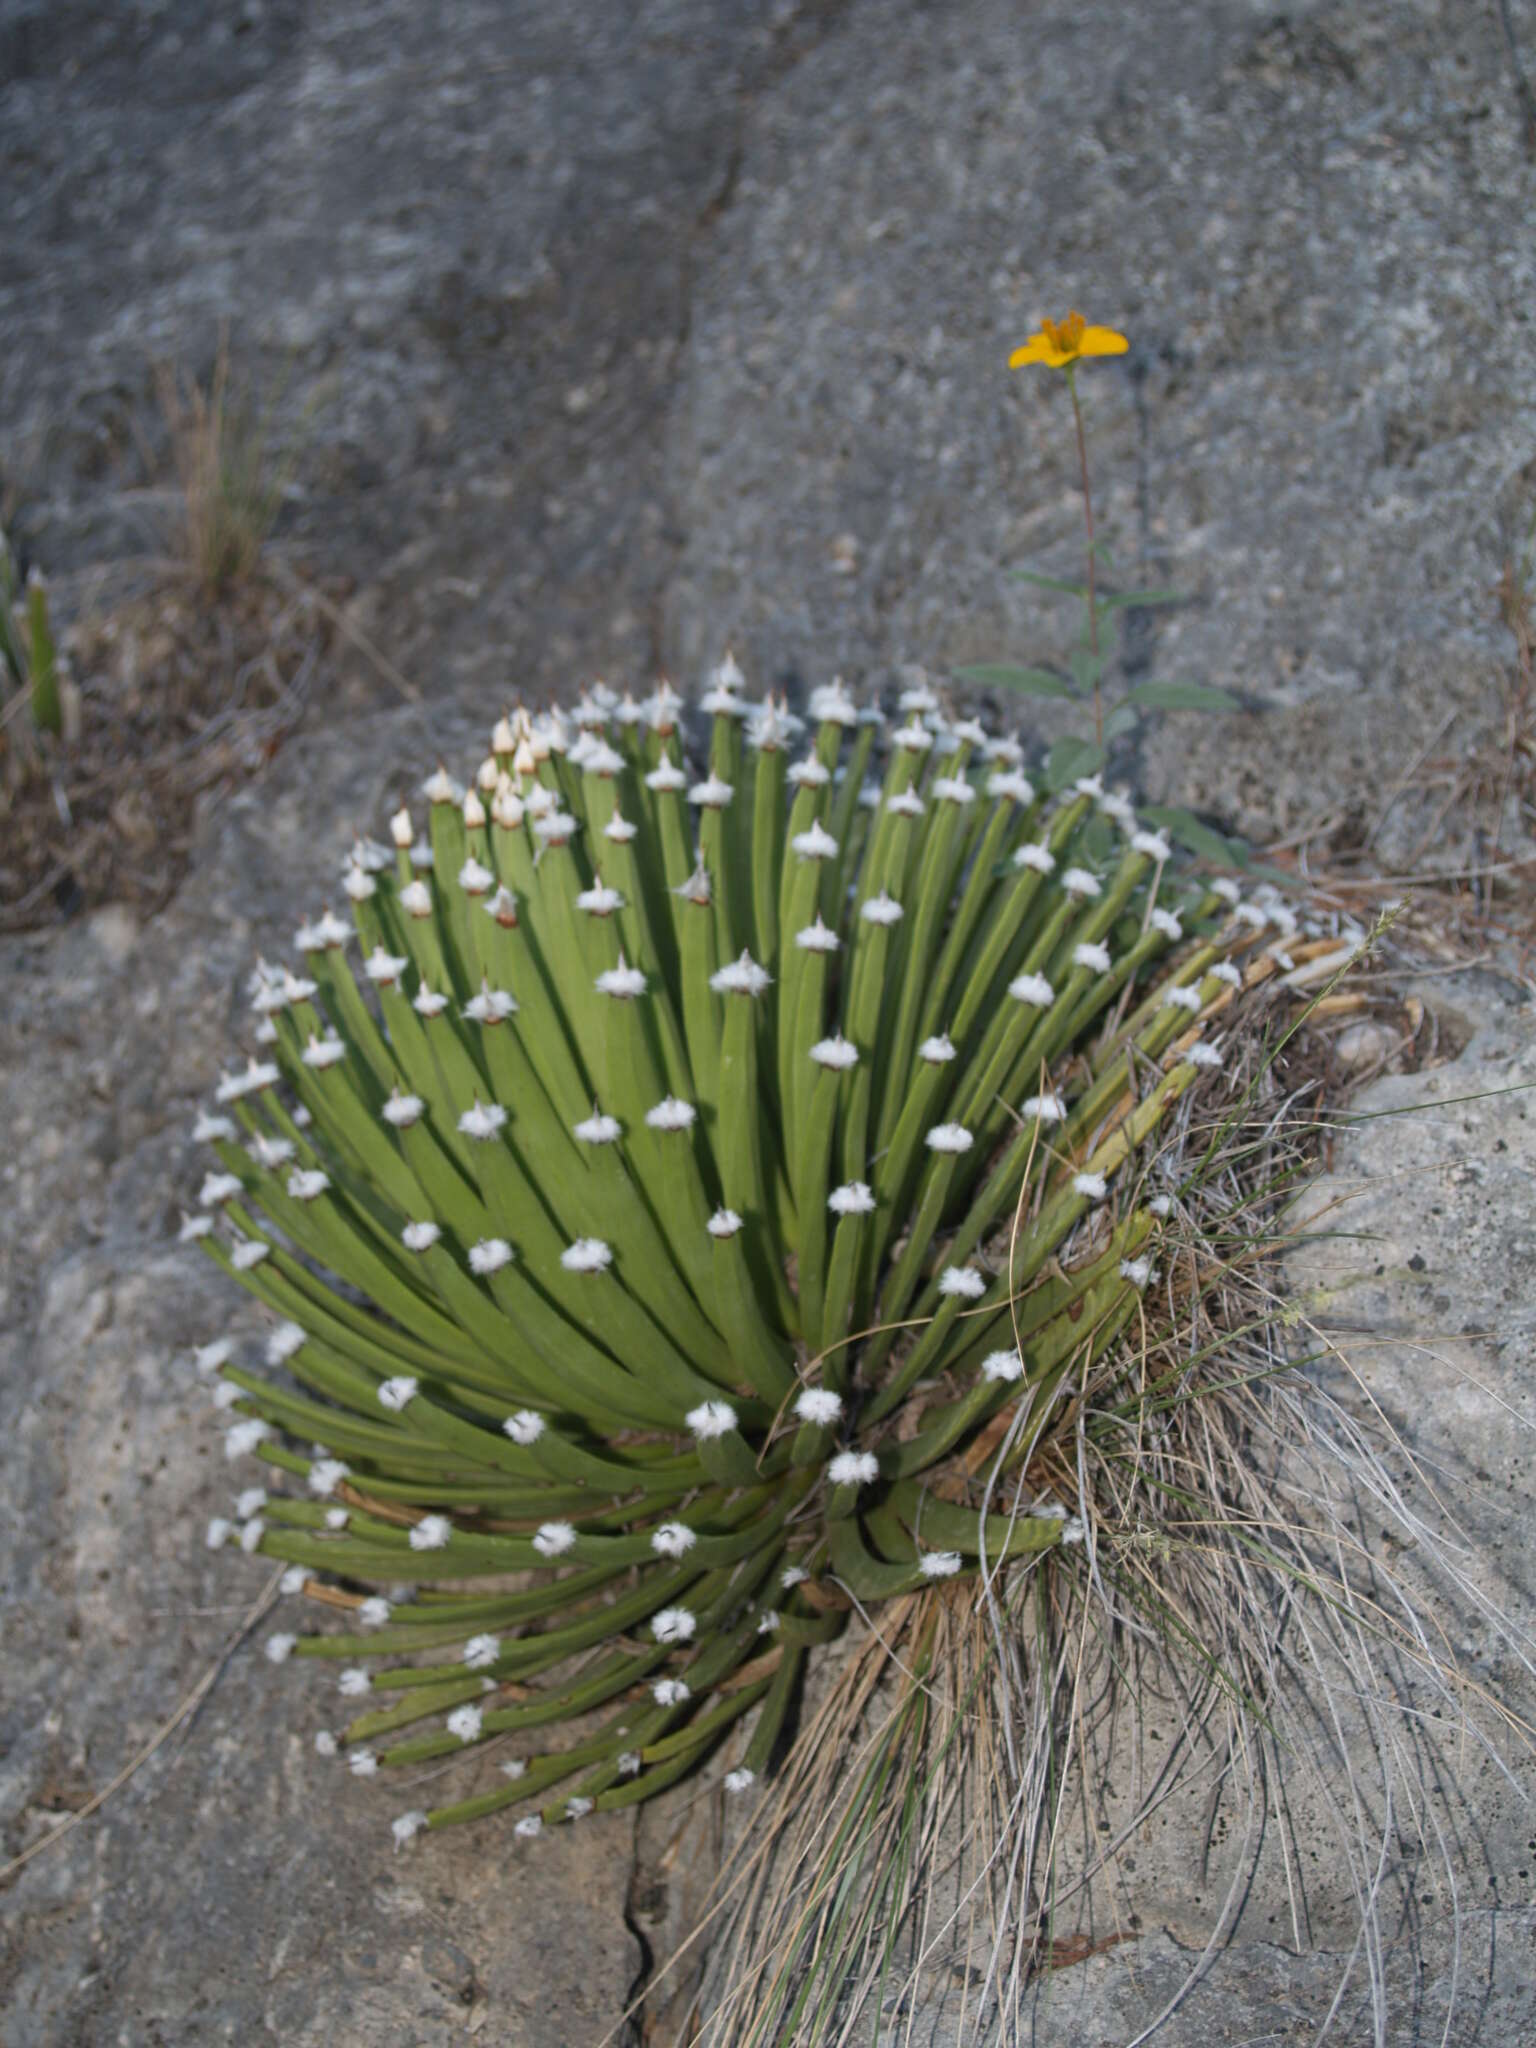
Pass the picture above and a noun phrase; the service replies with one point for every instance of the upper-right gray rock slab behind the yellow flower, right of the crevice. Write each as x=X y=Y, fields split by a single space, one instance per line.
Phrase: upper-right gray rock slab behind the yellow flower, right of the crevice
x=1312 y=226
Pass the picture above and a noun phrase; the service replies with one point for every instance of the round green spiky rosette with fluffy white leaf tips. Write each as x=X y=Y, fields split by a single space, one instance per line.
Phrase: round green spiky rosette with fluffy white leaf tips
x=693 y=1177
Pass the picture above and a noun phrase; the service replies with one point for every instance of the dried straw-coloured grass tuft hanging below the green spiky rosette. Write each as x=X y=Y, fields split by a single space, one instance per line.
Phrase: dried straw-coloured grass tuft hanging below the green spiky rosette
x=1248 y=1633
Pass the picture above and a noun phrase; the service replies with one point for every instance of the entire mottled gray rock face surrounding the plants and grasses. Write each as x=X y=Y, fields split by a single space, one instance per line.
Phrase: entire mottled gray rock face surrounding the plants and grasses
x=615 y=335
